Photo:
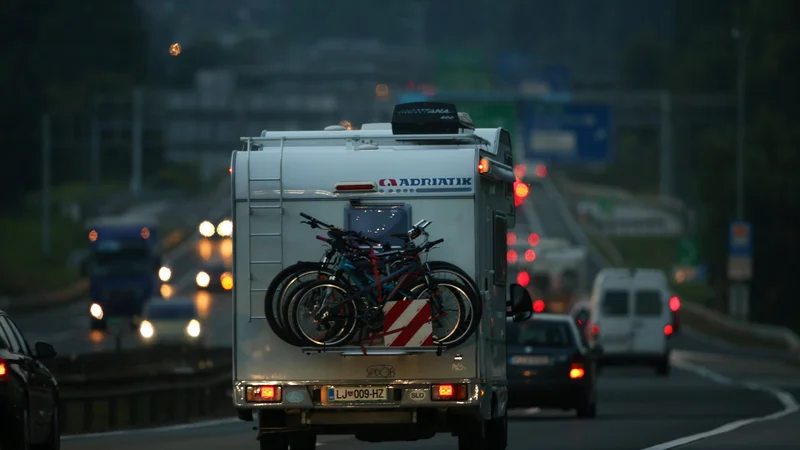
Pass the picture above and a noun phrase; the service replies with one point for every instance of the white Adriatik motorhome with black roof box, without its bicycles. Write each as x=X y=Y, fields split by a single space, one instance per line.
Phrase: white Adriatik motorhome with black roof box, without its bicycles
x=429 y=163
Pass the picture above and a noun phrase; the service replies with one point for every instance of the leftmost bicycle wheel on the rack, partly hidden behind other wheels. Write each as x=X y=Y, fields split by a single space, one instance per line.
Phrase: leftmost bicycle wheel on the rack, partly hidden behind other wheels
x=275 y=305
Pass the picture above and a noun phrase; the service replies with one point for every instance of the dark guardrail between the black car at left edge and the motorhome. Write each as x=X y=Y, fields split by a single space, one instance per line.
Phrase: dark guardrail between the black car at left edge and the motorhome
x=134 y=391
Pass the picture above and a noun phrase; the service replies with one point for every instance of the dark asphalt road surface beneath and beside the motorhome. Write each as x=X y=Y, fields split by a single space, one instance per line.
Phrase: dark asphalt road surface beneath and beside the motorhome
x=636 y=410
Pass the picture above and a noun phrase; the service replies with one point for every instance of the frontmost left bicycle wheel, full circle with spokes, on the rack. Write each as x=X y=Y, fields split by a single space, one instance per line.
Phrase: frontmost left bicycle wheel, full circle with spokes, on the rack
x=338 y=326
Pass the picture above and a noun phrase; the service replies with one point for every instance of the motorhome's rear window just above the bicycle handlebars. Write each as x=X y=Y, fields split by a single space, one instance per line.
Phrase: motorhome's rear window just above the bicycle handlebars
x=380 y=222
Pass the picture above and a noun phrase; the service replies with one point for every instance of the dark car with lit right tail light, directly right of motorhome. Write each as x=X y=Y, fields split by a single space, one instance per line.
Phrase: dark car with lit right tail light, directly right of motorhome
x=550 y=365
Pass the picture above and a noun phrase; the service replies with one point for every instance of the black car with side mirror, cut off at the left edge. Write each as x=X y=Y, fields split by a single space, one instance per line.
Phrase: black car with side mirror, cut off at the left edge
x=28 y=392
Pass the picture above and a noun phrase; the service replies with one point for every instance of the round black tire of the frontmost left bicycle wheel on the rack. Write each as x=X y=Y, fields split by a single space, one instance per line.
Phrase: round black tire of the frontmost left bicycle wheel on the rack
x=347 y=325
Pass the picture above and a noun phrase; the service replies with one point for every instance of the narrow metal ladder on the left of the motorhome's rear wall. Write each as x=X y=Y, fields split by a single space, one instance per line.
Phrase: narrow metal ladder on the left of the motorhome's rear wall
x=250 y=208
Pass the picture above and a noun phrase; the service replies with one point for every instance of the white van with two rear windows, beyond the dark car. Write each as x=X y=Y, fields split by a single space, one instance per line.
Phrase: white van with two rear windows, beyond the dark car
x=631 y=318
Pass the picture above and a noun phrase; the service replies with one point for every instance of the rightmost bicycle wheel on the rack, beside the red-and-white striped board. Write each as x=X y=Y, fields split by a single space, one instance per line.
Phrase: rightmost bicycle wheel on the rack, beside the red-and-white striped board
x=452 y=301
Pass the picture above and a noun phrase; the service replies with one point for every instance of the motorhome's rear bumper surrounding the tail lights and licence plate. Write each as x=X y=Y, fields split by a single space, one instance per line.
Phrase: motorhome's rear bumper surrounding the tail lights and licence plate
x=400 y=395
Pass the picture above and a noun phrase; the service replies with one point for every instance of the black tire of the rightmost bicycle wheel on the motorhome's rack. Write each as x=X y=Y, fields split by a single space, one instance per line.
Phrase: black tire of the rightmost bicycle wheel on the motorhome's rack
x=466 y=314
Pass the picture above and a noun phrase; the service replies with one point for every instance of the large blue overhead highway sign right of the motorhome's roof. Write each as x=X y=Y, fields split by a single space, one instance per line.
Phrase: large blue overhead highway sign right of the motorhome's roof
x=567 y=133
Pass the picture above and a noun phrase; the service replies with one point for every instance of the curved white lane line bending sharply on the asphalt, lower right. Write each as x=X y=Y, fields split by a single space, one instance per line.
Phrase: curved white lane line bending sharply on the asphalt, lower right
x=790 y=406
